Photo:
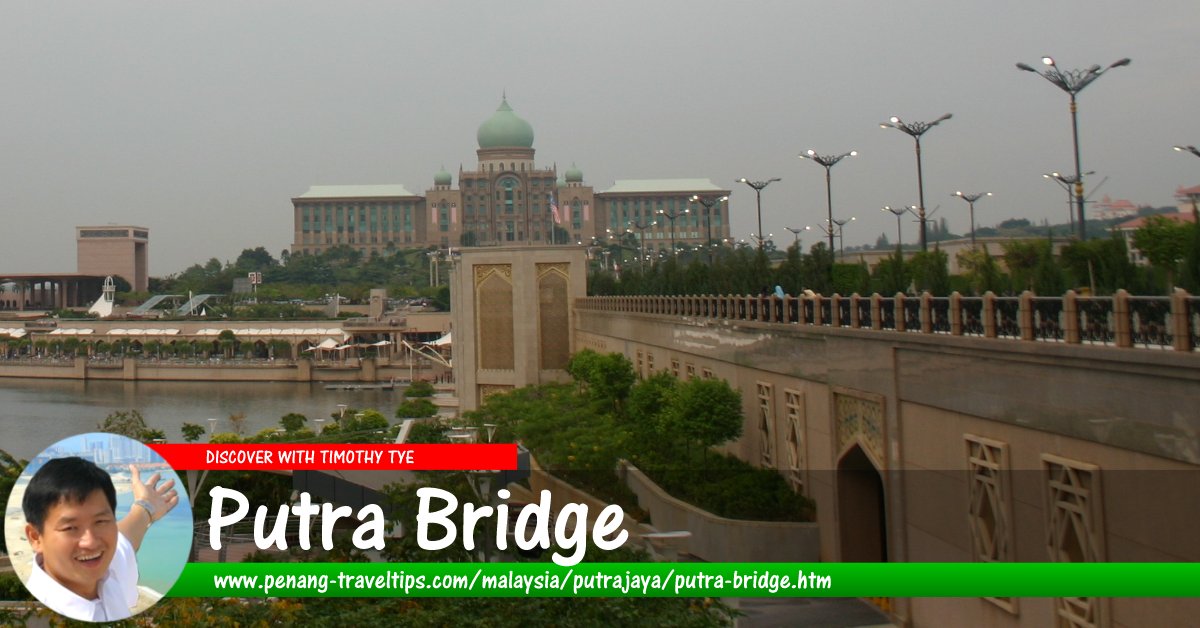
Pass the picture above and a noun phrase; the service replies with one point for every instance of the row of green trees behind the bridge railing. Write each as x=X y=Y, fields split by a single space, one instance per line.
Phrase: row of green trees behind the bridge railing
x=1101 y=266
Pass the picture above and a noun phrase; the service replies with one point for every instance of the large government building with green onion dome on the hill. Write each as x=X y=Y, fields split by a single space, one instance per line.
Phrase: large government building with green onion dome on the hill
x=506 y=201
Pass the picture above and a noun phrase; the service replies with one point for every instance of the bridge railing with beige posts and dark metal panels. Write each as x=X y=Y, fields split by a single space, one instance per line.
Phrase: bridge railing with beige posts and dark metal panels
x=1171 y=324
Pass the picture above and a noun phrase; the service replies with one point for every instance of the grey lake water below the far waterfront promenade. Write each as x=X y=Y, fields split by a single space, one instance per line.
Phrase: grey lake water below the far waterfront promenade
x=35 y=414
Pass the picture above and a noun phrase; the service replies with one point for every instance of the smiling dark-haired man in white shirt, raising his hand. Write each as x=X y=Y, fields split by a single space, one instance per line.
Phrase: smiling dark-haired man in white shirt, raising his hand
x=85 y=563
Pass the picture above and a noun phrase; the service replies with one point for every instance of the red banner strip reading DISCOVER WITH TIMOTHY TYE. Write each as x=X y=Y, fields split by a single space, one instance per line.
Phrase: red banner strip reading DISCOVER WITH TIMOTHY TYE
x=325 y=457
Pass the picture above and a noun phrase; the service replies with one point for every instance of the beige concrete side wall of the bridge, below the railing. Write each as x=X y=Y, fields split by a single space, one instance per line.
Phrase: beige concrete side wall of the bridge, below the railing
x=910 y=402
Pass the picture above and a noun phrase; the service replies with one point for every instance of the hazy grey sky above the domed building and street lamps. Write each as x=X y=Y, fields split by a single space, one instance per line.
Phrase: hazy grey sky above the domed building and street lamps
x=201 y=122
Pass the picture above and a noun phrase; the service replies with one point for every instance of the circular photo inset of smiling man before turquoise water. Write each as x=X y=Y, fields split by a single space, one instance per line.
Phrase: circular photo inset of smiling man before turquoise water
x=99 y=528
